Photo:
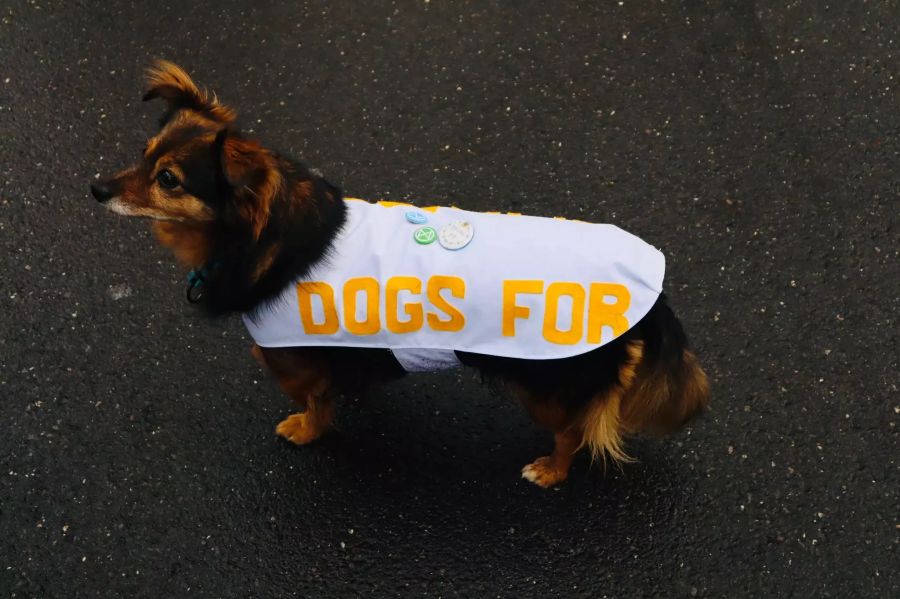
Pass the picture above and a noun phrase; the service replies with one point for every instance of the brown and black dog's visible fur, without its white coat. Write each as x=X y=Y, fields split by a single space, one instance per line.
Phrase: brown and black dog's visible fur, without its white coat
x=254 y=222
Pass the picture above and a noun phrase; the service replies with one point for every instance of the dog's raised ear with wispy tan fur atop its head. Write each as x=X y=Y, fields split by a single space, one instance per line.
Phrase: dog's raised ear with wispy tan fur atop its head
x=168 y=81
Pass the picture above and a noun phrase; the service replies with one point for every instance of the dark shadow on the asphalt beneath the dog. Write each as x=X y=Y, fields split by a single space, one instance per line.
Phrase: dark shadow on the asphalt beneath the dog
x=450 y=459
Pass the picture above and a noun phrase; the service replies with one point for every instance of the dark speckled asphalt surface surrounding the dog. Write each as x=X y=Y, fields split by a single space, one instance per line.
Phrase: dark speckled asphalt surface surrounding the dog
x=755 y=143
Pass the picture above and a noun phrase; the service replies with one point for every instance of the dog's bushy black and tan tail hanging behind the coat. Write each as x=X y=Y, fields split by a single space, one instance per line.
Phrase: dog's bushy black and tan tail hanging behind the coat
x=660 y=387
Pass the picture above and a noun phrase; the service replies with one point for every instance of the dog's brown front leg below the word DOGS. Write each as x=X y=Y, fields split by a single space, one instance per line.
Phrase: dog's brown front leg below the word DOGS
x=306 y=380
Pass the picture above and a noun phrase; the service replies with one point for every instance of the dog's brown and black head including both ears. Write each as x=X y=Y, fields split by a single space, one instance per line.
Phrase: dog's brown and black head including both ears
x=197 y=169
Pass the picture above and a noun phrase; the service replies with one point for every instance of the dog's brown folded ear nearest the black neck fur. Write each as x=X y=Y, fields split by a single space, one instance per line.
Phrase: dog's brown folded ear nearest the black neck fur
x=251 y=174
